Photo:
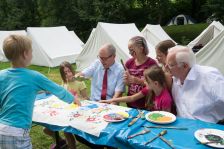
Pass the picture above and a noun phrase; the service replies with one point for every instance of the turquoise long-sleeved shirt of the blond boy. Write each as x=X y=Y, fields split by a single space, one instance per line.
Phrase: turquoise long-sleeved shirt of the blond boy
x=18 y=89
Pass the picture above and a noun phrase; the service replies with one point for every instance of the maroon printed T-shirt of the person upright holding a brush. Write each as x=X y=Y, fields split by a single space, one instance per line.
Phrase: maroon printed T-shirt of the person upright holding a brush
x=137 y=71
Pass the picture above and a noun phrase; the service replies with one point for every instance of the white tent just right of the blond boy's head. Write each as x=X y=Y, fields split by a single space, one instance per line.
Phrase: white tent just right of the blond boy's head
x=53 y=45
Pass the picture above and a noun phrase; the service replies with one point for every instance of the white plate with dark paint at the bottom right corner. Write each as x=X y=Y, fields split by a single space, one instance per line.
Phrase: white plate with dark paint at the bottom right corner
x=200 y=135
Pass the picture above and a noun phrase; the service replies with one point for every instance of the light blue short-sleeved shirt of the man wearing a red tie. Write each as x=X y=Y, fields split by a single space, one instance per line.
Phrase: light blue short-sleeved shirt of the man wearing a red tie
x=114 y=79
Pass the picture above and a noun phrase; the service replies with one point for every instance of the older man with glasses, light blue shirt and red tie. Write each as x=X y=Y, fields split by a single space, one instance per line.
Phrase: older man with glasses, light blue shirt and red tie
x=106 y=74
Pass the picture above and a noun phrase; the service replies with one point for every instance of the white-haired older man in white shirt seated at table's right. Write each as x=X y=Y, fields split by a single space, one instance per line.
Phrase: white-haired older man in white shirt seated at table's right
x=197 y=90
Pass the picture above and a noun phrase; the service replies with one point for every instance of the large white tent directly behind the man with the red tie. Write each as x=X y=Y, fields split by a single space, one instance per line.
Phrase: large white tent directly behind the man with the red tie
x=116 y=34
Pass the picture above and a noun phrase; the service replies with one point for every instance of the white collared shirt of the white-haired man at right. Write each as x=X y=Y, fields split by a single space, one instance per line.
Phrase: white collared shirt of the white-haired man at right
x=201 y=96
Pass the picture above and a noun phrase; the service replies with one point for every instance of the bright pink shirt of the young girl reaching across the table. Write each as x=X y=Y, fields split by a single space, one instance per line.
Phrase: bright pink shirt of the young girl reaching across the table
x=162 y=101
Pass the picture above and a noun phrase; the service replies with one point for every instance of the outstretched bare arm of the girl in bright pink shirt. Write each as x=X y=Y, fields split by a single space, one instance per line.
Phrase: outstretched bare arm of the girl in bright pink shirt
x=132 y=98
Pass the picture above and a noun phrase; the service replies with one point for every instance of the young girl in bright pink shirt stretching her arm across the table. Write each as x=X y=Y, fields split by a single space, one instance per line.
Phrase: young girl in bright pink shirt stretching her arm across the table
x=158 y=96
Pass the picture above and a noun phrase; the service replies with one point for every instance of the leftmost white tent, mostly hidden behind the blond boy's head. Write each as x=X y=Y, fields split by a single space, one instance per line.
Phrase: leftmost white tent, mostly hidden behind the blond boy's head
x=3 y=35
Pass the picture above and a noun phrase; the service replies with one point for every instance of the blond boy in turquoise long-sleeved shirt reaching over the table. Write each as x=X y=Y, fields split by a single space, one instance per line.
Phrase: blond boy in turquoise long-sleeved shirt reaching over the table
x=18 y=89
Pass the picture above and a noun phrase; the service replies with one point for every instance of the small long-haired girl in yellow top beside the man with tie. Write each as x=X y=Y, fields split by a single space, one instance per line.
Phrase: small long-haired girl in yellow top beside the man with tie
x=78 y=89
